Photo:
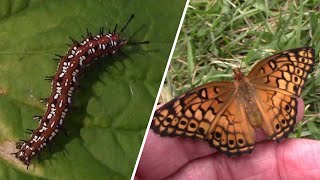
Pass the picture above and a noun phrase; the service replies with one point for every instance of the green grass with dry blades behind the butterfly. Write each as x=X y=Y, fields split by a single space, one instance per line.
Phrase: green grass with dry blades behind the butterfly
x=243 y=32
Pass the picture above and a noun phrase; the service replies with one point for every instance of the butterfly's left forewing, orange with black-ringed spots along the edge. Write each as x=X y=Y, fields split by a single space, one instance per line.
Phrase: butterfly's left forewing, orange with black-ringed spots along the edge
x=192 y=114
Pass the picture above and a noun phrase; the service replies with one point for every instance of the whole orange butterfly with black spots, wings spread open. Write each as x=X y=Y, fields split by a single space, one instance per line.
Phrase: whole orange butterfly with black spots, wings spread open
x=226 y=114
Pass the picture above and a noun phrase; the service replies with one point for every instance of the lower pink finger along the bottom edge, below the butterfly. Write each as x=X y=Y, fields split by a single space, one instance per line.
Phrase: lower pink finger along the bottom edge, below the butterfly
x=269 y=161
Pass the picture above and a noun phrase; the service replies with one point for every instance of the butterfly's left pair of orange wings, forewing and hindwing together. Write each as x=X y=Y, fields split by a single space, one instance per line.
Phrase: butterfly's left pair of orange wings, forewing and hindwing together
x=210 y=112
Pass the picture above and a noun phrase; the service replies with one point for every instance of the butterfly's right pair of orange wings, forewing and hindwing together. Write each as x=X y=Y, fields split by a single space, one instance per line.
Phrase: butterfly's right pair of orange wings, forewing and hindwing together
x=279 y=80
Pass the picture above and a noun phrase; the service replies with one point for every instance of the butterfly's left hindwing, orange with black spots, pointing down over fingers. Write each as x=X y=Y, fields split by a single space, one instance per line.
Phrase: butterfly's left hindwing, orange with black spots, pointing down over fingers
x=232 y=133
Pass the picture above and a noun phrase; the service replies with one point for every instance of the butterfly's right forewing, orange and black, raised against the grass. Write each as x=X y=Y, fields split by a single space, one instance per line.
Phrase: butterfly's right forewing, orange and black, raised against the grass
x=285 y=72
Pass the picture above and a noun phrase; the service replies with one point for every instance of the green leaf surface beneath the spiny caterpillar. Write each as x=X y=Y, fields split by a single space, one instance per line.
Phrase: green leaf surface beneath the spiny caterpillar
x=115 y=98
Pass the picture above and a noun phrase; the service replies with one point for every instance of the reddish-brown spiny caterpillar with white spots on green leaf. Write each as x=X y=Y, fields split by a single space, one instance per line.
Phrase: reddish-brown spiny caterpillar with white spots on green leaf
x=63 y=84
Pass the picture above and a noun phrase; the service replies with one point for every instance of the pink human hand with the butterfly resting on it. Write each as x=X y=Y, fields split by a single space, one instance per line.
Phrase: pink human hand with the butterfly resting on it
x=178 y=158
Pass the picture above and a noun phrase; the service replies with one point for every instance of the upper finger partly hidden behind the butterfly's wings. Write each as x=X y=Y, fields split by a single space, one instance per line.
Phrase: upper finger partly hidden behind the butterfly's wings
x=163 y=156
